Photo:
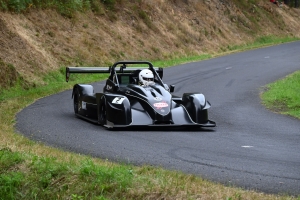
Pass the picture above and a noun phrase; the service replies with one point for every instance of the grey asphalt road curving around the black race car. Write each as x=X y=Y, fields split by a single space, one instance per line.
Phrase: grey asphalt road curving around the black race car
x=251 y=147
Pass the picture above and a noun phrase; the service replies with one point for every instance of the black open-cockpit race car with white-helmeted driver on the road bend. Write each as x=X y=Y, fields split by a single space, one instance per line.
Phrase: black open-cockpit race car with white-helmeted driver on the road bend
x=135 y=95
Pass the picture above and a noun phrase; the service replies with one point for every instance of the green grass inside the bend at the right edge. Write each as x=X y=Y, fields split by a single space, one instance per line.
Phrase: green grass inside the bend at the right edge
x=283 y=96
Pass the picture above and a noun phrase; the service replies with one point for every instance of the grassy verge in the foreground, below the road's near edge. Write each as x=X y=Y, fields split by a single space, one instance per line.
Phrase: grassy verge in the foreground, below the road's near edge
x=27 y=176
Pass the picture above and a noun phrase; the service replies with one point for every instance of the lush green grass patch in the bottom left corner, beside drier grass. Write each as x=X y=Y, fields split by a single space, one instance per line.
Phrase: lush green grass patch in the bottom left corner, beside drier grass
x=46 y=178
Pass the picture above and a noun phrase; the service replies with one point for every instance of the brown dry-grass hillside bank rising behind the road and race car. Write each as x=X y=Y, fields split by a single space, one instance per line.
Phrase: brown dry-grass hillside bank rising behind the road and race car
x=40 y=40
